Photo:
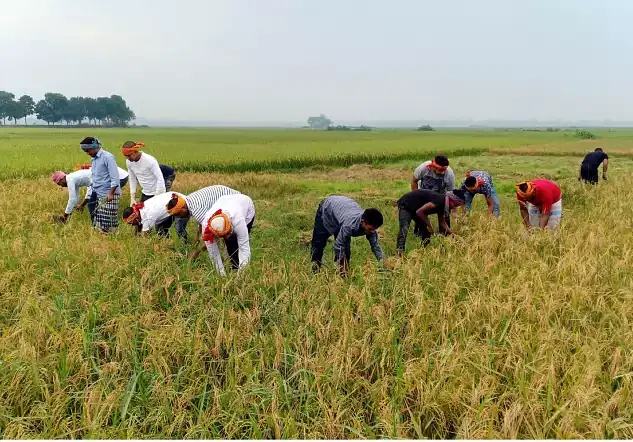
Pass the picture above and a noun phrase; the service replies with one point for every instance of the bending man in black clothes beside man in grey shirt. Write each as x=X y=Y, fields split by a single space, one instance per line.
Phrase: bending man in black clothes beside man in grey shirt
x=417 y=205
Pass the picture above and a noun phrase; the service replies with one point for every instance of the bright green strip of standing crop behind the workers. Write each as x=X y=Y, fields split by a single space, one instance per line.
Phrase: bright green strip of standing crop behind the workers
x=33 y=152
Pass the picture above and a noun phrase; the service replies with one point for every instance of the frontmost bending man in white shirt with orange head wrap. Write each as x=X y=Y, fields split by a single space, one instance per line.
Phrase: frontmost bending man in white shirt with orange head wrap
x=230 y=218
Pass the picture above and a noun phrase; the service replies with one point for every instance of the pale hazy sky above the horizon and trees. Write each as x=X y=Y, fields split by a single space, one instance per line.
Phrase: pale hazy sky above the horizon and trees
x=284 y=60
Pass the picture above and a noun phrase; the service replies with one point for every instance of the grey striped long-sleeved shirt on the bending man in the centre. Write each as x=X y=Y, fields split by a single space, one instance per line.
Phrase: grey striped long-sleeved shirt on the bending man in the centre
x=341 y=217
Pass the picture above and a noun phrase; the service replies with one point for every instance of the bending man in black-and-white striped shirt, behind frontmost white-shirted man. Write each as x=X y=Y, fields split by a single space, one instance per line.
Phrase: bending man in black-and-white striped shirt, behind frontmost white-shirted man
x=197 y=204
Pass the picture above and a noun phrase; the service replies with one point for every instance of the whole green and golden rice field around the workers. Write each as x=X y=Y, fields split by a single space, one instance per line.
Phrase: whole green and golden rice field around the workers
x=489 y=334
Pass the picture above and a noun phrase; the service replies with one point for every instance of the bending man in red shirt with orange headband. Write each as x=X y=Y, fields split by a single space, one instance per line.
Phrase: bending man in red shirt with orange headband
x=540 y=203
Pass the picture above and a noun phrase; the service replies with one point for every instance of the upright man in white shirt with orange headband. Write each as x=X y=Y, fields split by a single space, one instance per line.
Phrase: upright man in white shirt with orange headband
x=154 y=178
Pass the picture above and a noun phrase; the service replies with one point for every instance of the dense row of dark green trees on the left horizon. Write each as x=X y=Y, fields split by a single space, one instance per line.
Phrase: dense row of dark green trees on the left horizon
x=56 y=108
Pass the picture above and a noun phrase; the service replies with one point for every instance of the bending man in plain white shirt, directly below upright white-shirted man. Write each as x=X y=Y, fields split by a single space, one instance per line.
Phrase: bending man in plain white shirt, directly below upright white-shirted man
x=152 y=213
